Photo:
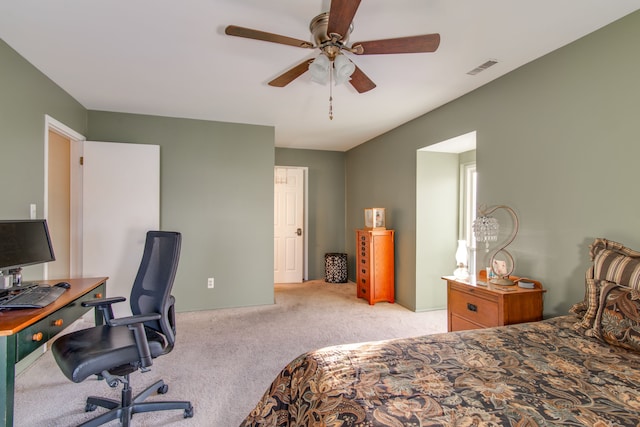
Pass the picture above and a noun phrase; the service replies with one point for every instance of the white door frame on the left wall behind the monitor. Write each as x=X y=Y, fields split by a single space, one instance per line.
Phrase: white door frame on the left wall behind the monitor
x=75 y=228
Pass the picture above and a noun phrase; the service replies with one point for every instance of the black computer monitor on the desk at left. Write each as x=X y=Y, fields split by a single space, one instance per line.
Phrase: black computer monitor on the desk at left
x=24 y=242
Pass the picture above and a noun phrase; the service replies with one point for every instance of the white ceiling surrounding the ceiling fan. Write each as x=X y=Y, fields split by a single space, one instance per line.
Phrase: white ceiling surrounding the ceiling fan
x=172 y=58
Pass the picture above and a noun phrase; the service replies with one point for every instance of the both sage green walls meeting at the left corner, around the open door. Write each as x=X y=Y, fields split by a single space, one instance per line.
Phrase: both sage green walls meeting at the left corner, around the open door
x=216 y=182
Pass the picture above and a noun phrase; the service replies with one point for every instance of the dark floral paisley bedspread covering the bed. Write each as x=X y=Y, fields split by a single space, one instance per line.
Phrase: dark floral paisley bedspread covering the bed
x=535 y=374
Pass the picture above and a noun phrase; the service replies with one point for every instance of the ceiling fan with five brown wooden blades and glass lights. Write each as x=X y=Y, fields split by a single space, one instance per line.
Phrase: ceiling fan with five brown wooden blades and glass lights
x=330 y=32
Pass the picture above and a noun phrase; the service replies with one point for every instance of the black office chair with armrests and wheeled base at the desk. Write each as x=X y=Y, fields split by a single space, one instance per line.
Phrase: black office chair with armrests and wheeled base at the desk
x=124 y=345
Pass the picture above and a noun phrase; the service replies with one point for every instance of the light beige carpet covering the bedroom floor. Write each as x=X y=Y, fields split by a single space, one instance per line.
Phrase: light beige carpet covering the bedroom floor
x=224 y=360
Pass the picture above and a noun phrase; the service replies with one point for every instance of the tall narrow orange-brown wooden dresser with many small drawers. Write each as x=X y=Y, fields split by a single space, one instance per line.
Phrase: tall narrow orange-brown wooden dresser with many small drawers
x=375 y=265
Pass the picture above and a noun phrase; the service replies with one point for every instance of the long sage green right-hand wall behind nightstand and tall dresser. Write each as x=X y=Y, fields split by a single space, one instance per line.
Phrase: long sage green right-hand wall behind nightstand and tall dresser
x=557 y=140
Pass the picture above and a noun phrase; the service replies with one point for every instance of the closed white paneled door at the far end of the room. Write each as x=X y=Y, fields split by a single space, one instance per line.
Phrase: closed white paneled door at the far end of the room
x=288 y=225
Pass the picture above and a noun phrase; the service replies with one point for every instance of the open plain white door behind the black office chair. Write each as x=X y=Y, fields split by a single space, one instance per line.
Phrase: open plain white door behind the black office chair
x=120 y=203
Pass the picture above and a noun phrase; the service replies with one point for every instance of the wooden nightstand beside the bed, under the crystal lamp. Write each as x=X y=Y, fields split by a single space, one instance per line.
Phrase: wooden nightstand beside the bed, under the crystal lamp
x=475 y=306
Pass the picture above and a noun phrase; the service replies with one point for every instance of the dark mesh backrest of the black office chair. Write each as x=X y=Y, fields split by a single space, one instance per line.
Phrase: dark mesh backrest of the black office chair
x=151 y=292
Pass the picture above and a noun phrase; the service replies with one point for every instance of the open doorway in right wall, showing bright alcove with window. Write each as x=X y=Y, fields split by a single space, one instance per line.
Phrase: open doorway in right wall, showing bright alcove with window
x=442 y=209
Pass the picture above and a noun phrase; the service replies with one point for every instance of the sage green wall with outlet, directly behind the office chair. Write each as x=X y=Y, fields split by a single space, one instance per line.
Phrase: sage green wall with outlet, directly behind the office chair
x=216 y=183
